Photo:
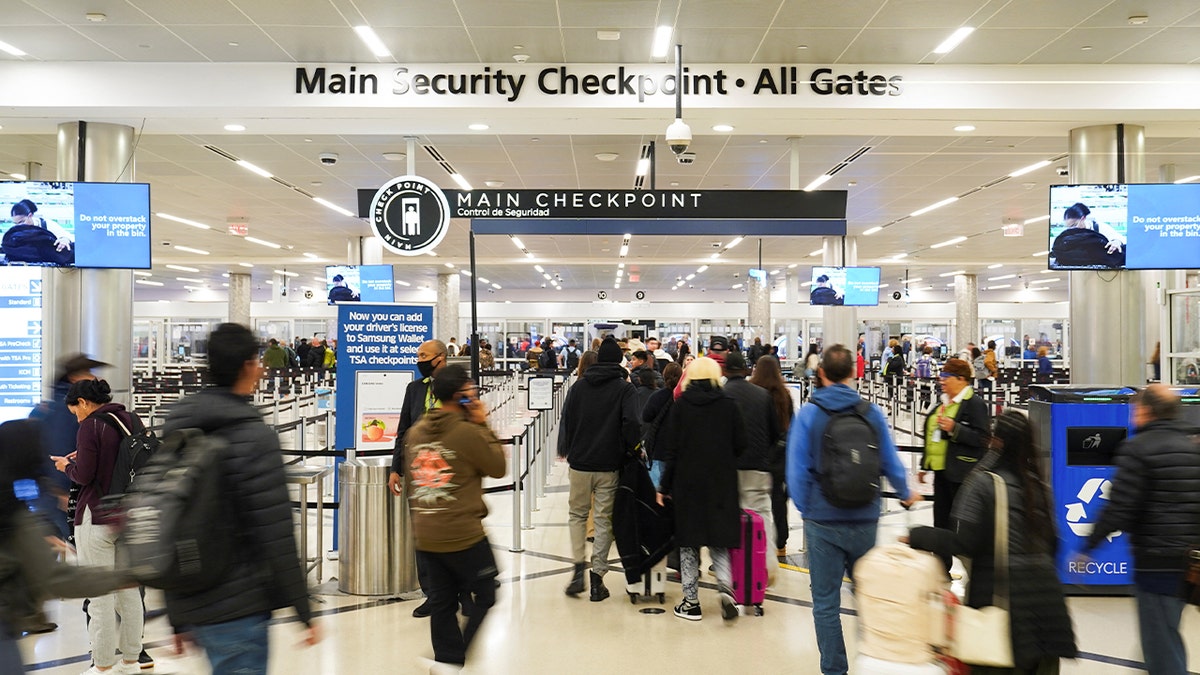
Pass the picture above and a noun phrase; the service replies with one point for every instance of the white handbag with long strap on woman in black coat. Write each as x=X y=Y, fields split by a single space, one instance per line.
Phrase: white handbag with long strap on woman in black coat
x=985 y=636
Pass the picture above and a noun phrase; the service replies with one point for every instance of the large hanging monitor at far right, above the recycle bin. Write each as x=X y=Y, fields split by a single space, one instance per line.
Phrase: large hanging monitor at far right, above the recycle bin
x=1115 y=226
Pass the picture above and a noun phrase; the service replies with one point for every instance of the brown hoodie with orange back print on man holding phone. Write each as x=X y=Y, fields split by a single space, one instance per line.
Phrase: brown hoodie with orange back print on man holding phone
x=446 y=461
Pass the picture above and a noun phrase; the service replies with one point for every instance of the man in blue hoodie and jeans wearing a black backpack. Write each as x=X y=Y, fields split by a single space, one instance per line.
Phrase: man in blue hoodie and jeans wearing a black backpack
x=837 y=450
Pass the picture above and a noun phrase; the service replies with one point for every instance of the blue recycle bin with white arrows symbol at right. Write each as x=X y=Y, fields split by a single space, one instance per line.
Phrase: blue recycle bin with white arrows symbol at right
x=1081 y=431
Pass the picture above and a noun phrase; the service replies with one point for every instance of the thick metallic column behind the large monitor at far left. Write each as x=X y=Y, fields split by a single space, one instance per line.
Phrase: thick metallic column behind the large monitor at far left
x=92 y=310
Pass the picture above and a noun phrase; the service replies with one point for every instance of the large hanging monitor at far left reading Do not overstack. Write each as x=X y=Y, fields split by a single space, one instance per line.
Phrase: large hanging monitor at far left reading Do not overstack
x=93 y=225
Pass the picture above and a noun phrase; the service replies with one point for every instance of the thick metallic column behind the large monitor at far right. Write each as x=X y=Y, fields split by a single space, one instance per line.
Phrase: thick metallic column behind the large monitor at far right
x=1107 y=339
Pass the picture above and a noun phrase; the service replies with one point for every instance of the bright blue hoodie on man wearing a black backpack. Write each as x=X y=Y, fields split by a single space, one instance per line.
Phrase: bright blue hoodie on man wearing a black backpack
x=805 y=441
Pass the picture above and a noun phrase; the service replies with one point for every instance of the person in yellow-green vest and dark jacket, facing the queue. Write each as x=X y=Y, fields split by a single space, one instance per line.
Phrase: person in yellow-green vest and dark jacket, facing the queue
x=957 y=434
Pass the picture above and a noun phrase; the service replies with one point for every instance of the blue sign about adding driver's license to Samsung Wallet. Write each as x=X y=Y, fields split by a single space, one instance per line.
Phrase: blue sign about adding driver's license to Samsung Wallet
x=377 y=356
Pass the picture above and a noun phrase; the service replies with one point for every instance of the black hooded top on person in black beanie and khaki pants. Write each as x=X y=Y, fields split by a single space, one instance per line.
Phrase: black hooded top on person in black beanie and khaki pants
x=601 y=421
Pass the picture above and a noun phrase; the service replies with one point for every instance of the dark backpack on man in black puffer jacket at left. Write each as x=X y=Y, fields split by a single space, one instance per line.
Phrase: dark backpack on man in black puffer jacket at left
x=178 y=533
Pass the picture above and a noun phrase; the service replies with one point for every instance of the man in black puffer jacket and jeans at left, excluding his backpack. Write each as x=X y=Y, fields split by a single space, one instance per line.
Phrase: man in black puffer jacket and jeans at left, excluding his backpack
x=231 y=618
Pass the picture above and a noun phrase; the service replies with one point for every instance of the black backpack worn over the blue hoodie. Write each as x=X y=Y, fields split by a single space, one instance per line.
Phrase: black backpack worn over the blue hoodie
x=849 y=469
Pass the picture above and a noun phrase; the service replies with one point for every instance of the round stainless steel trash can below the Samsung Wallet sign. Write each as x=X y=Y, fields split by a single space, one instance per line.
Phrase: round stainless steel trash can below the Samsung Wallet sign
x=377 y=555
